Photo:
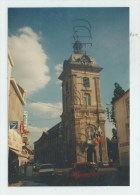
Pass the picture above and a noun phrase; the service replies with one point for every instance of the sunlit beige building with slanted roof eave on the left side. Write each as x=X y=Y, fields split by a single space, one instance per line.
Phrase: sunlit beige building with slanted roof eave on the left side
x=15 y=113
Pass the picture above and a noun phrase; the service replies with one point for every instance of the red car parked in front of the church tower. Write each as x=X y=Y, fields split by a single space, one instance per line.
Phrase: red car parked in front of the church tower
x=83 y=171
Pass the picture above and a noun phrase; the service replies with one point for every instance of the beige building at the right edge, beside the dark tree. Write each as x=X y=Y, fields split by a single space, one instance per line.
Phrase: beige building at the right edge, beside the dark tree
x=121 y=109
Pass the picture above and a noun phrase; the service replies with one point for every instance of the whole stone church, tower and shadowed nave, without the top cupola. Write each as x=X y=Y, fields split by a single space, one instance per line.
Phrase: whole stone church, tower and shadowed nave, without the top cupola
x=80 y=136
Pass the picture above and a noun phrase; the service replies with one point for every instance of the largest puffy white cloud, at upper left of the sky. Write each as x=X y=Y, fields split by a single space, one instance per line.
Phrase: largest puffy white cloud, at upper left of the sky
x=31 y=70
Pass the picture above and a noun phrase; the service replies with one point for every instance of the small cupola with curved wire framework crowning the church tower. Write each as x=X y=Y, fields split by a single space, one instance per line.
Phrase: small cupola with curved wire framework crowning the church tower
x=81 y=35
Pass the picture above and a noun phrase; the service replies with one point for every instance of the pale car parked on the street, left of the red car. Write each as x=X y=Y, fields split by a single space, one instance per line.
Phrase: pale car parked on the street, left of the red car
x=46 y=170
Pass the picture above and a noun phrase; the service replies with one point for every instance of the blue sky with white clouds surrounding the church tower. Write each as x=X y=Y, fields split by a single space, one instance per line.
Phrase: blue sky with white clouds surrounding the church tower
x=40 y=39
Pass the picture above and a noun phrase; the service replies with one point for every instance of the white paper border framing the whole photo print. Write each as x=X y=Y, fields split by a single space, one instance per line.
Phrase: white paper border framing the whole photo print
x=134 y=187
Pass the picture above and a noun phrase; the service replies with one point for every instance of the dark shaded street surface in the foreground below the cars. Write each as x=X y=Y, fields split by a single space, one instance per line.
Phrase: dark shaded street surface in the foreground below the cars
x=108 y=177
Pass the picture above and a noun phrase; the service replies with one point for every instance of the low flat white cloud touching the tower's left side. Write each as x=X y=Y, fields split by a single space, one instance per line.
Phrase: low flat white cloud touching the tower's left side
x=40 y=108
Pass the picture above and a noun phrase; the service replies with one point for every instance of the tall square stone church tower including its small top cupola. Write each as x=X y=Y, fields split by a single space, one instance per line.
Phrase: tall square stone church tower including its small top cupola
x=83 y=116
